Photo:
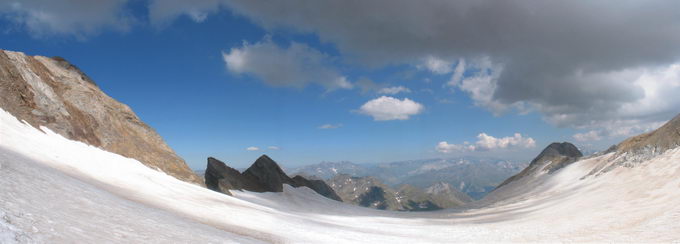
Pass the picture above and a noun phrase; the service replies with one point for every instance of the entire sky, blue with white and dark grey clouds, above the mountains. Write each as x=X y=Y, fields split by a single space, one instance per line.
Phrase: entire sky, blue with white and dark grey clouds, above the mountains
x=307 y=81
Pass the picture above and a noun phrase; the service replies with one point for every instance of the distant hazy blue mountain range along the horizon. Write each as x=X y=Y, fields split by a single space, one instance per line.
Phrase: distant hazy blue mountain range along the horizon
x=473 y=176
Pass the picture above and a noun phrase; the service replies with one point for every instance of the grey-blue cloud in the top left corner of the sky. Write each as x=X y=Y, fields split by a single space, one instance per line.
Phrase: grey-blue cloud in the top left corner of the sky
x=80 y=18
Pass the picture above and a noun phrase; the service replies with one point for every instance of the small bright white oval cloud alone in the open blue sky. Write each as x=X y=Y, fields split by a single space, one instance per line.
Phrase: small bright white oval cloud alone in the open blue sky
x=389 y=108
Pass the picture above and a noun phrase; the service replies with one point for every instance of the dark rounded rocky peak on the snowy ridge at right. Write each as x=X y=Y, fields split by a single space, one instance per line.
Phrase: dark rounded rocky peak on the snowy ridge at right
x=554 y=157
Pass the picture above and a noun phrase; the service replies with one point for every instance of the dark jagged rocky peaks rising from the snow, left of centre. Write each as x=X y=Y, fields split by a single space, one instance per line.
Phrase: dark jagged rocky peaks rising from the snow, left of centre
x=264 y=175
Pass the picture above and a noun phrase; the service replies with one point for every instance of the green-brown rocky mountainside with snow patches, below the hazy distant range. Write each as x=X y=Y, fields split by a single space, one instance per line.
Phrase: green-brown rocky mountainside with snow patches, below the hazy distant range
x=371 y=192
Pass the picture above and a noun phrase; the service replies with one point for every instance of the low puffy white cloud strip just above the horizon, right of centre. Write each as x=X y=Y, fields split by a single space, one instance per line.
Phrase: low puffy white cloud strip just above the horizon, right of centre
x=486 y=143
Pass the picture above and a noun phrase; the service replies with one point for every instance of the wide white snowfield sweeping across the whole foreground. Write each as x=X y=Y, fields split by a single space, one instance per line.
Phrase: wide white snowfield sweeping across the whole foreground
x=56 y=190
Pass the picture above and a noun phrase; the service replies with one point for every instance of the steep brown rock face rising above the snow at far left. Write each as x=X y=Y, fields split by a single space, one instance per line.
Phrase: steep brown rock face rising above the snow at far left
x=51 y=92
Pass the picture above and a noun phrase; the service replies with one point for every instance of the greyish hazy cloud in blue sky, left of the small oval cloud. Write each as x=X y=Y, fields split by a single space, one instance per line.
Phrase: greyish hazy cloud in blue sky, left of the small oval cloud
x=295 y=66
